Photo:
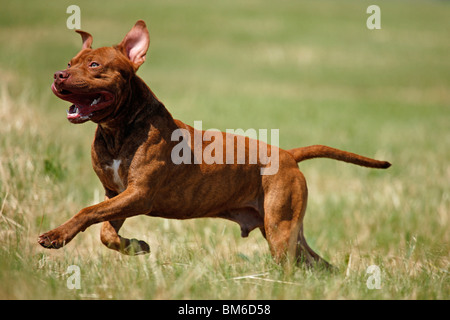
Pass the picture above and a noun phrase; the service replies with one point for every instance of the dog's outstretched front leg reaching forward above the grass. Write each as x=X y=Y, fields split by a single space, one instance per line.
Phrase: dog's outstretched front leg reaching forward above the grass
x=129 y=203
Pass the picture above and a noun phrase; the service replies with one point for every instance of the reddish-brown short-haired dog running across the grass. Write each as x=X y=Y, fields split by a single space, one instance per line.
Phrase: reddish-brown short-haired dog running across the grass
x=133 y=151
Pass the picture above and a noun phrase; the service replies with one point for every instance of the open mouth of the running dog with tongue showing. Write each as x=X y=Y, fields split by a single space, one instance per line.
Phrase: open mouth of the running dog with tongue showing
x=85 y=105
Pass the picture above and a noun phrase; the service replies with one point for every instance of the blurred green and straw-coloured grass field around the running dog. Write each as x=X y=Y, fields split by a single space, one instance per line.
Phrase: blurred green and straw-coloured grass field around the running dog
x=311 y=69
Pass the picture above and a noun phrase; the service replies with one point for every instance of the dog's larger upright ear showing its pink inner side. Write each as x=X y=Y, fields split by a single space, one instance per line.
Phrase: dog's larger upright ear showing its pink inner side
x=135 y=44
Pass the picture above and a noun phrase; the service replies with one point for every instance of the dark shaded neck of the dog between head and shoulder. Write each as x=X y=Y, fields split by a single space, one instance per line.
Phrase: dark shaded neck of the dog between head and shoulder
x=139 y=109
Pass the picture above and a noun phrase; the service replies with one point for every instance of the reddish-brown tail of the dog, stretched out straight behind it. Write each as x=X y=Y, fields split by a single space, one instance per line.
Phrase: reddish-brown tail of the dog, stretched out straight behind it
x=319 y=151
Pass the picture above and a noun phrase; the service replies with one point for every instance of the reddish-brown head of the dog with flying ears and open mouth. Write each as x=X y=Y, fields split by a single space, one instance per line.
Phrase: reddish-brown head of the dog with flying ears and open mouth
x=95 y=79
